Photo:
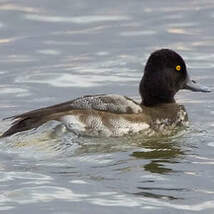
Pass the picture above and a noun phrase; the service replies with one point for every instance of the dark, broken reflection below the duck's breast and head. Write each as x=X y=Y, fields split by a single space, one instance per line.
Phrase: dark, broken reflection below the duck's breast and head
x=160 y=156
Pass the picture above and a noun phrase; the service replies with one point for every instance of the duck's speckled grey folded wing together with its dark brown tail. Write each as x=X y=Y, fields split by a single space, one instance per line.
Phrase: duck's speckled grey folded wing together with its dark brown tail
x=111 y=103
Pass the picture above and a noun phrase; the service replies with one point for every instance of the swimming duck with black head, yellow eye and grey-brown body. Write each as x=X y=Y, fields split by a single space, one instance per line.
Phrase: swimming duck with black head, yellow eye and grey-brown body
x=113 y=115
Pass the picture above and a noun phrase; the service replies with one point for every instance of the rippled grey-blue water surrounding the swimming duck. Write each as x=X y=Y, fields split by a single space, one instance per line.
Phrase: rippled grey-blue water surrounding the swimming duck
x=55 y=51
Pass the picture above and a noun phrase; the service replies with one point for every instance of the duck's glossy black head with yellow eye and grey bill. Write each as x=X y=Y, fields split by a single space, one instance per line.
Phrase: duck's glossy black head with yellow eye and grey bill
x=164 y=75
